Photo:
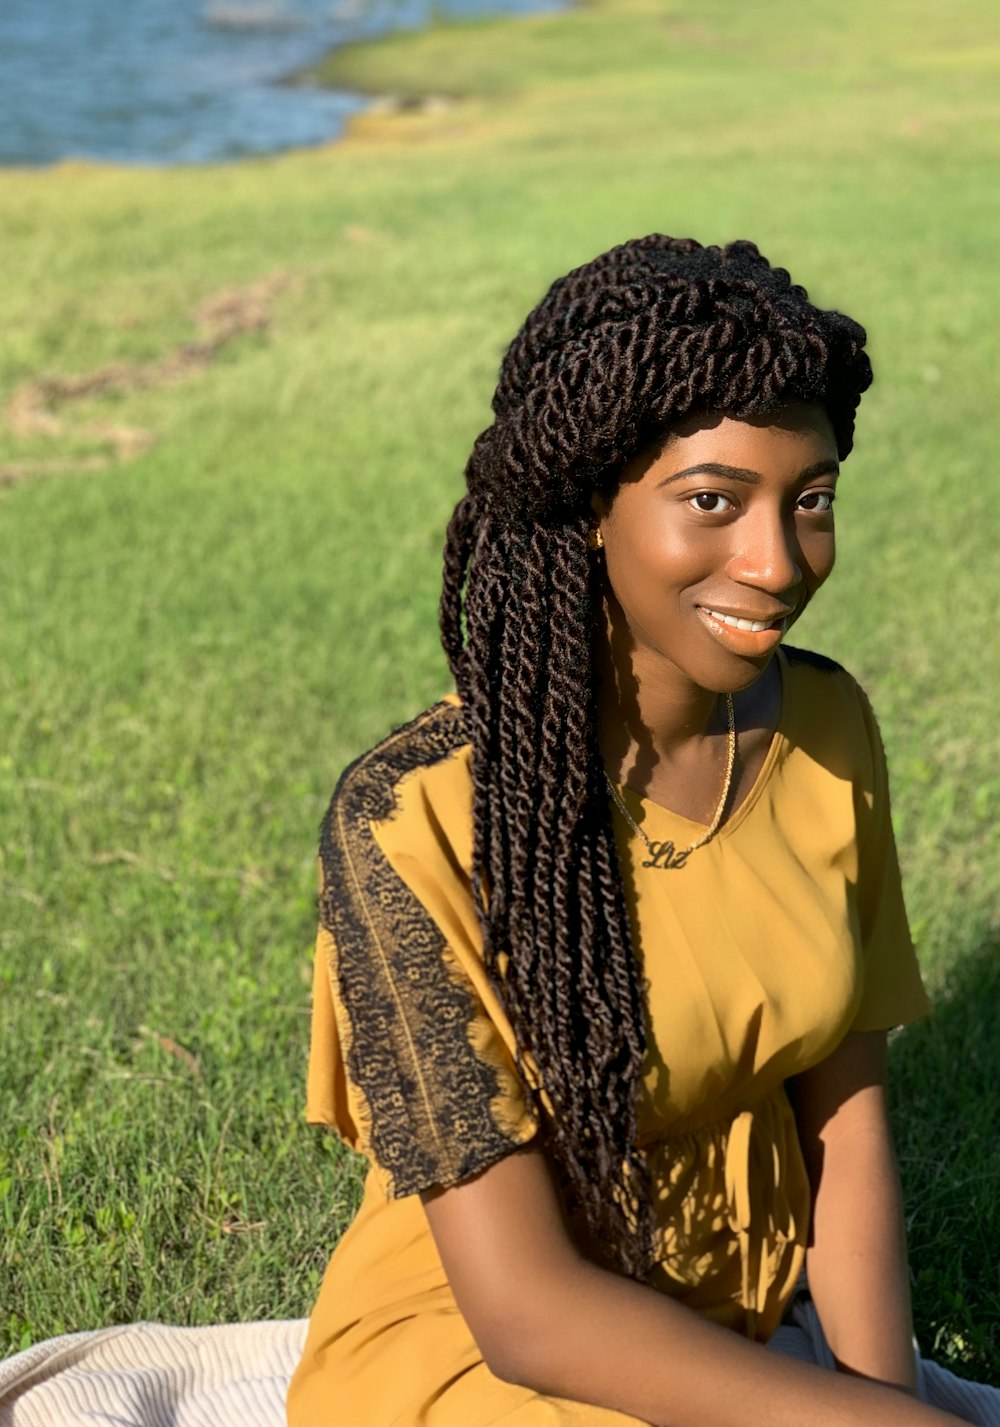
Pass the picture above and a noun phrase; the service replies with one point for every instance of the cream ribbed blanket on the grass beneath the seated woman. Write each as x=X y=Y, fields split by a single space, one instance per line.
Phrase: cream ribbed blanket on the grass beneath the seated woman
x=148 y=1375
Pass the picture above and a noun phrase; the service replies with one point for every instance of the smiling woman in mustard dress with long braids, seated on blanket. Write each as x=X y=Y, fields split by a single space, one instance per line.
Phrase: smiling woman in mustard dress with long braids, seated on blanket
x=611 y=941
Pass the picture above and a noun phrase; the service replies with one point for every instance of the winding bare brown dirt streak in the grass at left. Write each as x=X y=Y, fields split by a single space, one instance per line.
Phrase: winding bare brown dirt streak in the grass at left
x=38 y=407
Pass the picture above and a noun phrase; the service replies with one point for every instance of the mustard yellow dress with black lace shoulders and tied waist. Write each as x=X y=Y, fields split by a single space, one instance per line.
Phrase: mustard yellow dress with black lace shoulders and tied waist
x=778 y=937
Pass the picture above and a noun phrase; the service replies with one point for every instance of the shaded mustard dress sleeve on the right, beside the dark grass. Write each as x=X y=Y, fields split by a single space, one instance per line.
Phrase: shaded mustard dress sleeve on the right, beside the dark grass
x=892 y=992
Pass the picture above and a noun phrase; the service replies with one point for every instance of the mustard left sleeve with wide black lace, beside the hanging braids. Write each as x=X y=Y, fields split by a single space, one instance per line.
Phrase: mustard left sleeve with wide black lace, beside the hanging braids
x=412 y=1057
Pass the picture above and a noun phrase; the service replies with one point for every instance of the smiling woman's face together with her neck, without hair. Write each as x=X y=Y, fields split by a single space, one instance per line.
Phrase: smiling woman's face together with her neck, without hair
x=714 y=546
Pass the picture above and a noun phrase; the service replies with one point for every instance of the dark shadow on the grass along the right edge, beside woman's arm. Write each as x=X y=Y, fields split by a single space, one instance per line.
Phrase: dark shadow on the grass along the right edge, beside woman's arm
x=947 y=1117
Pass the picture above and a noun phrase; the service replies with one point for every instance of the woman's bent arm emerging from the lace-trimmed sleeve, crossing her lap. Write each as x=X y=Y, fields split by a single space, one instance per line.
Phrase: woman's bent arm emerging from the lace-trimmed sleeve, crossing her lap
x=549 y=1319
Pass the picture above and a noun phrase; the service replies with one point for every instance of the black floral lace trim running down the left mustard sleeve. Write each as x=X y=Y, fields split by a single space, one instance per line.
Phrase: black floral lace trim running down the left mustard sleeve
x=429 y=1092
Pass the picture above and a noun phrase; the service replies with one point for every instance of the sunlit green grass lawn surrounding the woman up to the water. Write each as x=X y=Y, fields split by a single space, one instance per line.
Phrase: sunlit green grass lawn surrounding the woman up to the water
x=196 y=639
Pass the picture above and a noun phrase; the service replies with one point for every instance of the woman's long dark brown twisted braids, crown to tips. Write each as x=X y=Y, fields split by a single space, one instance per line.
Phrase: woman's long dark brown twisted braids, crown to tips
x=616 y=353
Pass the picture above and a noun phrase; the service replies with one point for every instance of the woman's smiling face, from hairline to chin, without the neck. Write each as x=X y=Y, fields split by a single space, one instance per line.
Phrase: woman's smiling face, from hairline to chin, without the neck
x=730 y=520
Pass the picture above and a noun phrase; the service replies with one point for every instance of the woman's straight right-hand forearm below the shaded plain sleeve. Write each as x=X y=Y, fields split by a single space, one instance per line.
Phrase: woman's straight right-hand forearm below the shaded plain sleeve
x=857 y=1258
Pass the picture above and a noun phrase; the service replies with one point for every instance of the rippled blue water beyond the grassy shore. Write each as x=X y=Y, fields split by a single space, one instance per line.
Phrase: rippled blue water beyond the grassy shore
x=185 y=82
